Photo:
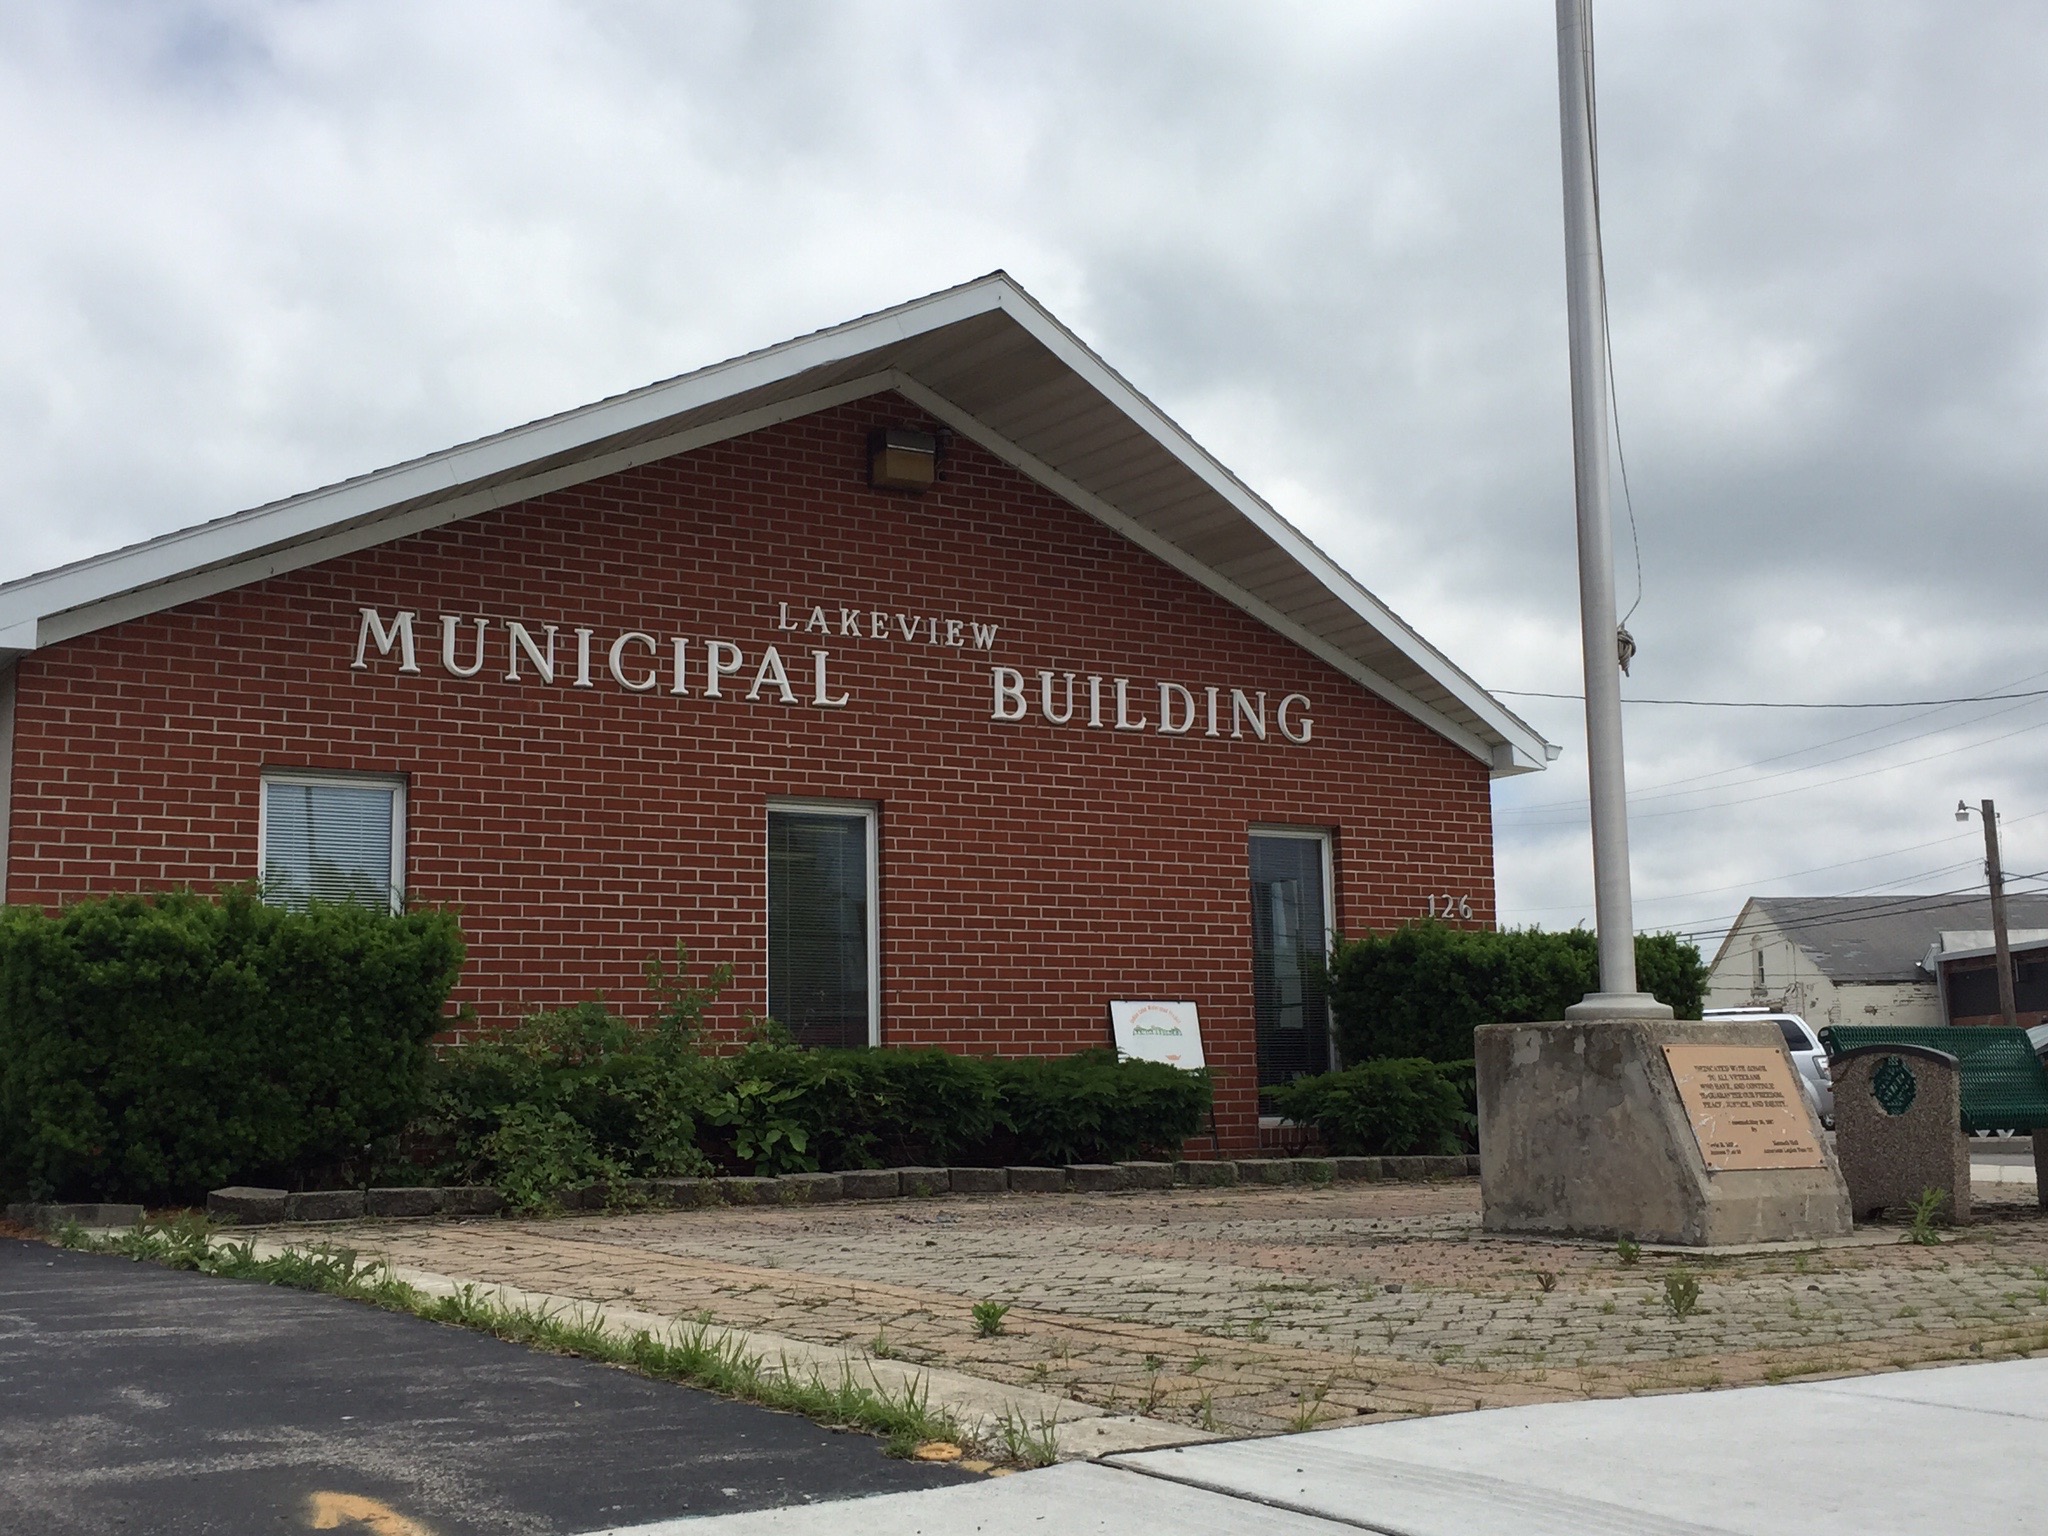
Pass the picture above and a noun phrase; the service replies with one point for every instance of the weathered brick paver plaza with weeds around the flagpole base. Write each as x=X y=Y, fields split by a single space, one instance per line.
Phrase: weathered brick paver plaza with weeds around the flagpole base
x=1271 y=1310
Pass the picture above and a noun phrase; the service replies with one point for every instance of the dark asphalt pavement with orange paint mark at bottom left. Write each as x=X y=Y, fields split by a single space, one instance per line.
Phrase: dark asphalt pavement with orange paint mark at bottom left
x=138 y=1400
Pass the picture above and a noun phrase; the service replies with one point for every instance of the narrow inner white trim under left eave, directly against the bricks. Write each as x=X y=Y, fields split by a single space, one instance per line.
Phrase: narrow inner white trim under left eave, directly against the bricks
x=300 y=554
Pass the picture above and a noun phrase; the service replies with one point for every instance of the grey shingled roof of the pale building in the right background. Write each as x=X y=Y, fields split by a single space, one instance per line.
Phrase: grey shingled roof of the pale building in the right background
x=1879 y=939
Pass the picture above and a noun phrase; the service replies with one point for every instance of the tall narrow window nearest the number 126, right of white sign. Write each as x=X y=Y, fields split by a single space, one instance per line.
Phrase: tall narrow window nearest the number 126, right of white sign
x=1289 y=941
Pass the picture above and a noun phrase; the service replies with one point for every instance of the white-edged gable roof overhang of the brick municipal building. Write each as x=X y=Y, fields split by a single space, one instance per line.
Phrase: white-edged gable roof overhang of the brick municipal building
x=986 y=359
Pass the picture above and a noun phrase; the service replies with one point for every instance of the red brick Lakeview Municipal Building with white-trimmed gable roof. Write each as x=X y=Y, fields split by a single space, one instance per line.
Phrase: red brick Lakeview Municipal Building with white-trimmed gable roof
x=949 y=763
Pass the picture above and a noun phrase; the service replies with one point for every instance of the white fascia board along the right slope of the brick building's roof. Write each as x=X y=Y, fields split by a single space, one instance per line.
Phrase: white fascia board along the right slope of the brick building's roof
x=1168 y=433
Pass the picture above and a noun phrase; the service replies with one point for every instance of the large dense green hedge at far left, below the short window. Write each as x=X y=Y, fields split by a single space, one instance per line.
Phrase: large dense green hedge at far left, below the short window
x=157 y=1048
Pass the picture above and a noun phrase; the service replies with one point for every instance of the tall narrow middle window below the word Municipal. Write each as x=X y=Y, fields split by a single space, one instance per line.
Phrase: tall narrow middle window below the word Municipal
x=824 y=959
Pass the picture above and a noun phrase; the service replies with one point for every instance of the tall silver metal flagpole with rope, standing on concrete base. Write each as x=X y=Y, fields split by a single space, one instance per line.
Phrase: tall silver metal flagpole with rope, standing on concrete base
x=1598 y=632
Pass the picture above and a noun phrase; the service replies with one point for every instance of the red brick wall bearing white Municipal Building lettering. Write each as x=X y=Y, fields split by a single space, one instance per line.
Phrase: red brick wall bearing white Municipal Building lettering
x=1029 y=871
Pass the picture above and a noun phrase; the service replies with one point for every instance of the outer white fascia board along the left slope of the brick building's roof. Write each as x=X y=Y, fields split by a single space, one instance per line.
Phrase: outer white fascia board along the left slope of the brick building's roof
x=267 y=529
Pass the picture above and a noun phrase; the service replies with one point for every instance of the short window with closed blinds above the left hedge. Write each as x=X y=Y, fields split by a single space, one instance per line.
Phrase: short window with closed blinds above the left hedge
x=333 y=839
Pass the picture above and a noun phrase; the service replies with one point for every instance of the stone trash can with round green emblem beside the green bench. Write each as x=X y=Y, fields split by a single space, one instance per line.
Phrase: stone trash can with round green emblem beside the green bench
x=1900 y=1129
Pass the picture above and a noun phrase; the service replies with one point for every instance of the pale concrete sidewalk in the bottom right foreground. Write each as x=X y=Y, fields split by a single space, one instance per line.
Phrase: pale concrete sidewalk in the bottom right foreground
x=1957 y=1449
